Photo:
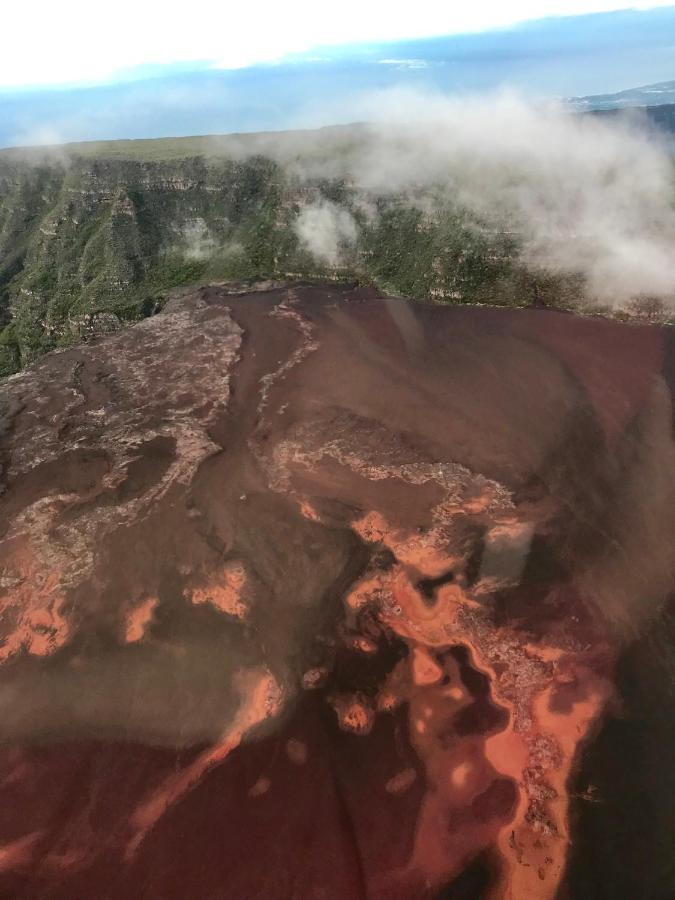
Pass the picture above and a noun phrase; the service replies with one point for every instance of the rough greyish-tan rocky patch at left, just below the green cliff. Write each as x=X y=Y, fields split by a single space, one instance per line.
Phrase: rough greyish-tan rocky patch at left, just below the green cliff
x=81 y=480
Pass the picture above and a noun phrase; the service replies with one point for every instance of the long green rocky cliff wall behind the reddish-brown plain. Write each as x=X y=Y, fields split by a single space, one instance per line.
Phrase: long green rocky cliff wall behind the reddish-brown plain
x=93 y=236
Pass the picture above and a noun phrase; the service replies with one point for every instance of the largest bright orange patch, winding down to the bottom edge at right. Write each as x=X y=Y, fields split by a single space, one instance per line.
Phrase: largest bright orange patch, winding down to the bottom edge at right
x=529 y=758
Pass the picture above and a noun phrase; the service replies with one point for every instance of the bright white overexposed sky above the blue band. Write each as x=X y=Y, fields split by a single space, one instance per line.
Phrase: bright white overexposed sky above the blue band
x=74 y=41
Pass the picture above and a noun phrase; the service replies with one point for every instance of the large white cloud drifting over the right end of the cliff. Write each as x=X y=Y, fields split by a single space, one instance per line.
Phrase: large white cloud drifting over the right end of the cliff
x=584 y=194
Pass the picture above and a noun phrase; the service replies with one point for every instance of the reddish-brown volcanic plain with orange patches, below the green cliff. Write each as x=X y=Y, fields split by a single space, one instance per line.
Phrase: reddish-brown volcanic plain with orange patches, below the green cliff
x=309 y=593
